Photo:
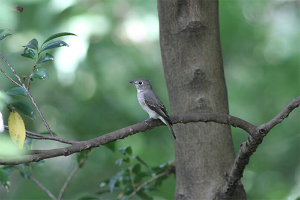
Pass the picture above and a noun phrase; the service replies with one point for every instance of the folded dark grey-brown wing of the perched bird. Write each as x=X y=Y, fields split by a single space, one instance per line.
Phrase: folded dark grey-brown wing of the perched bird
x=156 y=105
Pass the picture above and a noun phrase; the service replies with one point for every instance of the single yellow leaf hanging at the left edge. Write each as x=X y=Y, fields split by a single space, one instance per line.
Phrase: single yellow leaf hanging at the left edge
x=16 y=128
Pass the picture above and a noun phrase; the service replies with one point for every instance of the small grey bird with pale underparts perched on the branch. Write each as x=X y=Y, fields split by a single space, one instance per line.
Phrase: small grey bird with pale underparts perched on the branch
x=151 y=103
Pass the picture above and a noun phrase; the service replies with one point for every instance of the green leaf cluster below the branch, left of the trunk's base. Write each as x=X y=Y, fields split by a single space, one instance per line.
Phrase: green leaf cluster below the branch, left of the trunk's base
x=133 y=174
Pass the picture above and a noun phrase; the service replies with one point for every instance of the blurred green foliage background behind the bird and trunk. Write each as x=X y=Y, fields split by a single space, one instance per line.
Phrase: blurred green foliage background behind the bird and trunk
x=88 y=94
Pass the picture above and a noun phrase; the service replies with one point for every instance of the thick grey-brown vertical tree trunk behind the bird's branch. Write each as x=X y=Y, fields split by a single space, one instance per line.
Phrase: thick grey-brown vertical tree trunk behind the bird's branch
x=193 y=66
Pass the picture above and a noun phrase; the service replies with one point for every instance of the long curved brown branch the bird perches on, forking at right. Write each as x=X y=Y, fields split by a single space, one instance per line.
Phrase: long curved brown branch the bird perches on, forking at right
x=247 y=148
